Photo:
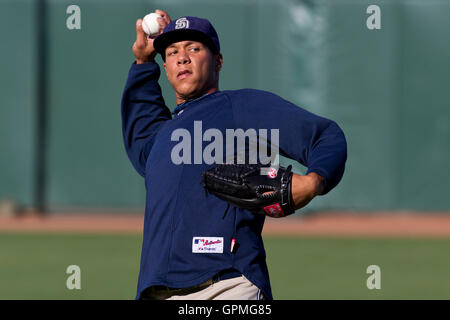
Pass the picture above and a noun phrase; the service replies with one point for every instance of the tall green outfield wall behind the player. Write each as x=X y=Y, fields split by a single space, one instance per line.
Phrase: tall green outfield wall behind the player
x=387 y=88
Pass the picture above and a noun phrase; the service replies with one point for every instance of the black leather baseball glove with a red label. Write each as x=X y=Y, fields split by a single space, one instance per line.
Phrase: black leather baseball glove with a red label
x=244 y=186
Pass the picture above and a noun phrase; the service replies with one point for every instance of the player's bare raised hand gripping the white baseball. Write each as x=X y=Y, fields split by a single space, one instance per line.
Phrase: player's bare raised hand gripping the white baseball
x=143 y=48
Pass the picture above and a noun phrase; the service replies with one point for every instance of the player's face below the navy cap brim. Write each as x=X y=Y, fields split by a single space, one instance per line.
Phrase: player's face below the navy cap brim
x=192 y=69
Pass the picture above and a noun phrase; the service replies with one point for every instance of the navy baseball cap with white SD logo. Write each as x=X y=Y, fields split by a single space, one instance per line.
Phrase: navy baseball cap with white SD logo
x=187 y=28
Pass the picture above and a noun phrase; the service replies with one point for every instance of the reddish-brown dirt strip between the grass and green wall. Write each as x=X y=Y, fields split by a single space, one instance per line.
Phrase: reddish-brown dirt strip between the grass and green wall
x=324 y=224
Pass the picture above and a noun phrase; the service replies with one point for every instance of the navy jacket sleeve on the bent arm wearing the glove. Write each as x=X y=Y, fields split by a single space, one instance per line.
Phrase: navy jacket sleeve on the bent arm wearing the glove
x=315 y=142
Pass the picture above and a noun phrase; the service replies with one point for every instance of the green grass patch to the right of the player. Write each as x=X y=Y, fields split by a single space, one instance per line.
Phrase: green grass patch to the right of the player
x=335 y=268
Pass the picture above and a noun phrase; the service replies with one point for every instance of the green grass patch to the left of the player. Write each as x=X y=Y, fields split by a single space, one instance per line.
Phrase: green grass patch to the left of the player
x=33 y=266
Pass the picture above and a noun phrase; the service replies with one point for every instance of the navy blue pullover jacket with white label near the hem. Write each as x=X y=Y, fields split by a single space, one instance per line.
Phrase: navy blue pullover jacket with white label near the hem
x=177 y=208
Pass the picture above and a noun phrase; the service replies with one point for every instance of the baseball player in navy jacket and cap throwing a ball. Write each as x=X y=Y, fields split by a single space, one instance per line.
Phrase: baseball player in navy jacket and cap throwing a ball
x=208 y=245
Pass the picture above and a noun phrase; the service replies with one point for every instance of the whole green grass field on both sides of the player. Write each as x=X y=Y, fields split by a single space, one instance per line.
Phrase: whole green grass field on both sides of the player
x=33 y=266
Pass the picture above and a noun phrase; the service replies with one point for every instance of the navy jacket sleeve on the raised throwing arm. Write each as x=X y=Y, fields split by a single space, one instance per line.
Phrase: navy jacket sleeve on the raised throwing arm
x=143 y=112
